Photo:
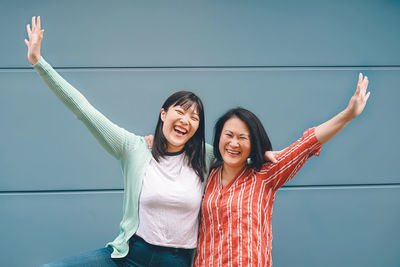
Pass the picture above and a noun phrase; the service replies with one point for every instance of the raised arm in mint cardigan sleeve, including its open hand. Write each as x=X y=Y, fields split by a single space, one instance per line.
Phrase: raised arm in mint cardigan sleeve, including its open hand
x=113 y=138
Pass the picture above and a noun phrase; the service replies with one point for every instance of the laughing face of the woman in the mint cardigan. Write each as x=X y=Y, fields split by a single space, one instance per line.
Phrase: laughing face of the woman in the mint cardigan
x=179 y=125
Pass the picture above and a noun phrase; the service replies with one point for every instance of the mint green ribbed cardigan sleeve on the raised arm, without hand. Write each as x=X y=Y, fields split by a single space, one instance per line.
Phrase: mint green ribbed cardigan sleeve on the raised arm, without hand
x=113 y=138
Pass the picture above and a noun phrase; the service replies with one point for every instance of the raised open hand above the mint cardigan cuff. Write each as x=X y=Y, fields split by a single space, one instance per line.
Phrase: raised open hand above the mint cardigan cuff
x=35 y=36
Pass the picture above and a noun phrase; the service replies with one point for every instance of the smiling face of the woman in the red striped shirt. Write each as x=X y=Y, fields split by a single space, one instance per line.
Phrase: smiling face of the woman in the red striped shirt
x=234 y=143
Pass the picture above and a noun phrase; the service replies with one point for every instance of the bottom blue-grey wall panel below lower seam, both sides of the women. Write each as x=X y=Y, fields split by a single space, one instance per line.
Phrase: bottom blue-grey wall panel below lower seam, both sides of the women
x=336 y=226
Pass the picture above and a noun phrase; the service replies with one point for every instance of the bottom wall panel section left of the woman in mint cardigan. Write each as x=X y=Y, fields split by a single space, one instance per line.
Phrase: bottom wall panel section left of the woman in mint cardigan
x=38 y=228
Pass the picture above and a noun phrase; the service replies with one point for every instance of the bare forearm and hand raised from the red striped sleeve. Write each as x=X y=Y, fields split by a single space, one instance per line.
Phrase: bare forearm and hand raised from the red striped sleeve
x=329 y=129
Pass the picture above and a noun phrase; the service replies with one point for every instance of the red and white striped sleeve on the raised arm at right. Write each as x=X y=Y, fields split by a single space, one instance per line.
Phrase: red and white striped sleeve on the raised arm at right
x=291 y=159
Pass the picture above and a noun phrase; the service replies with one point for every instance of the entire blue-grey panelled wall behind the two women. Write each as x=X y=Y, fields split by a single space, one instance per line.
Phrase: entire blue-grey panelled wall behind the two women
x=295 y=64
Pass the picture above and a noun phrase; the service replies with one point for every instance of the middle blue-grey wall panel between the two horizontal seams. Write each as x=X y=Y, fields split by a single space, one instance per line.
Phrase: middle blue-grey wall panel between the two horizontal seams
x=44 y=147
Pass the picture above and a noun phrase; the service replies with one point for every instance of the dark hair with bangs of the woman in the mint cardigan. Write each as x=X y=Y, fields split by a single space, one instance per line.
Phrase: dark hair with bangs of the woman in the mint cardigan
x=195 y=146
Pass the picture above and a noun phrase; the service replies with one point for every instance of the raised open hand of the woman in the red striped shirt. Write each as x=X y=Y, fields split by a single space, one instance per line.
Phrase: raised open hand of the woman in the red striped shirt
x=359 y=99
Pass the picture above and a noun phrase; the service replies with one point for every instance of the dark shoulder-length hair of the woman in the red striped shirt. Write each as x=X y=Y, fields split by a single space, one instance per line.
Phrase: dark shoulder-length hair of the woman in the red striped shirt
x=259 y=140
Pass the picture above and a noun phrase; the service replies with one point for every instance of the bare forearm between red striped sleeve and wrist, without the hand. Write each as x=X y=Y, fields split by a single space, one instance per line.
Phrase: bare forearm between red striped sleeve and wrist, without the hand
x=330 y=128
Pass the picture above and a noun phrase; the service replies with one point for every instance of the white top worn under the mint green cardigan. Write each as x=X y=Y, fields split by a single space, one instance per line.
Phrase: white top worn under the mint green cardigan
x=170 y=202
